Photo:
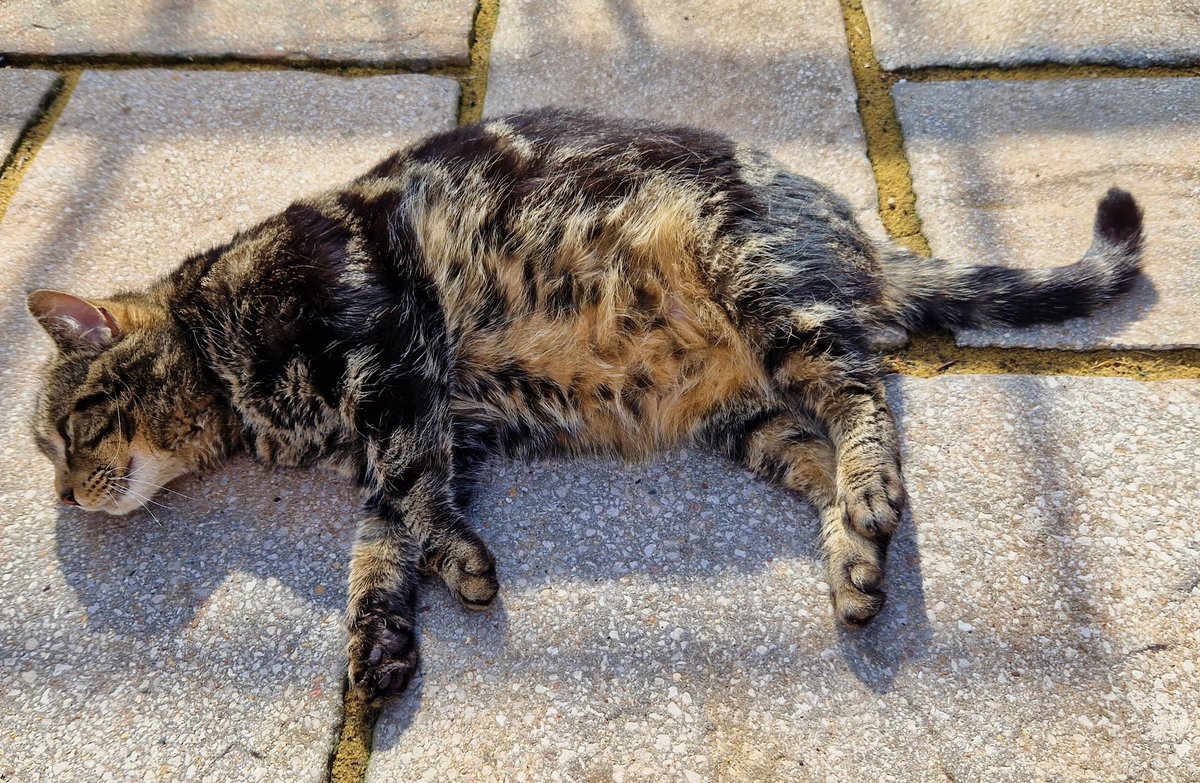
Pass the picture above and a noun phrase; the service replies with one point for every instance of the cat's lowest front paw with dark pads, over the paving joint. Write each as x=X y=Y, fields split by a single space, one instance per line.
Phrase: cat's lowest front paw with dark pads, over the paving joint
x=383 y=656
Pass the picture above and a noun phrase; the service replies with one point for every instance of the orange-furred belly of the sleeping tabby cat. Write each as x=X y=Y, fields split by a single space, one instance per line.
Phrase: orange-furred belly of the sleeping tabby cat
x=628 y=382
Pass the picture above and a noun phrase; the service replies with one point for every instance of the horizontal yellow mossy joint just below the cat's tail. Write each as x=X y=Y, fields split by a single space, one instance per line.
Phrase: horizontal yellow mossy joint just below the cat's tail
x=935 y=355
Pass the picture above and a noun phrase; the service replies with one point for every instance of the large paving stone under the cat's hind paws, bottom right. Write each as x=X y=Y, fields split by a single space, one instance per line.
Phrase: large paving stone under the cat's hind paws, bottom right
x=669 y=621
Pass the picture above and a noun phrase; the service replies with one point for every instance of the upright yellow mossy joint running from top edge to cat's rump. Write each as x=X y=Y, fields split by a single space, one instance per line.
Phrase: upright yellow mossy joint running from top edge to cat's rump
x=885 y=142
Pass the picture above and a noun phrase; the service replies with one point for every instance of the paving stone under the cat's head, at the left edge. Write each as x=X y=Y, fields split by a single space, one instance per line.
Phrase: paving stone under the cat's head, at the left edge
x=205 y=641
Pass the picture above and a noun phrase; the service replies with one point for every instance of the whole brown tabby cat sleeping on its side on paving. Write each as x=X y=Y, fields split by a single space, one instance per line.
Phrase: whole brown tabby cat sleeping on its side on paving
x=549 y=283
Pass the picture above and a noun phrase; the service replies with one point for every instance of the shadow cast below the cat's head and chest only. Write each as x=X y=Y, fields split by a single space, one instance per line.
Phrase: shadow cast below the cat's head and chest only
x=149 y=575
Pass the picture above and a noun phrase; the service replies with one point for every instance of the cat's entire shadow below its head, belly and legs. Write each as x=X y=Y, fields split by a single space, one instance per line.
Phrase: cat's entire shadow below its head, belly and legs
x=687 y=516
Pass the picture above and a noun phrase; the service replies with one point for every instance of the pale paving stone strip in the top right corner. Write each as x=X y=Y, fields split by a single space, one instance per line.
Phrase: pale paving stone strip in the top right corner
x=926 y=33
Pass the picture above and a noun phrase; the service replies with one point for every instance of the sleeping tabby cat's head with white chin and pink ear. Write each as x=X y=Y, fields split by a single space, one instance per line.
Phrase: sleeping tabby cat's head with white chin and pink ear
x=124 y=407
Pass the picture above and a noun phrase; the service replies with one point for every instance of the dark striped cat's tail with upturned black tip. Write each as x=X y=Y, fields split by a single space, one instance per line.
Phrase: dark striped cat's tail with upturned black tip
x=926 y=292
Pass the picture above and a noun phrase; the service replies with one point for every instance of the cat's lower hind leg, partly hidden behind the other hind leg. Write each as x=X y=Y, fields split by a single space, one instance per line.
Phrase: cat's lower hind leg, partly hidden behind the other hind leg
x=790 y=449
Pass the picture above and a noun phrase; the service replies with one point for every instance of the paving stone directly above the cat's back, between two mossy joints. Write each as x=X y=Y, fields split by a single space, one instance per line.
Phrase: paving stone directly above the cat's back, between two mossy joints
x=775 y=74
